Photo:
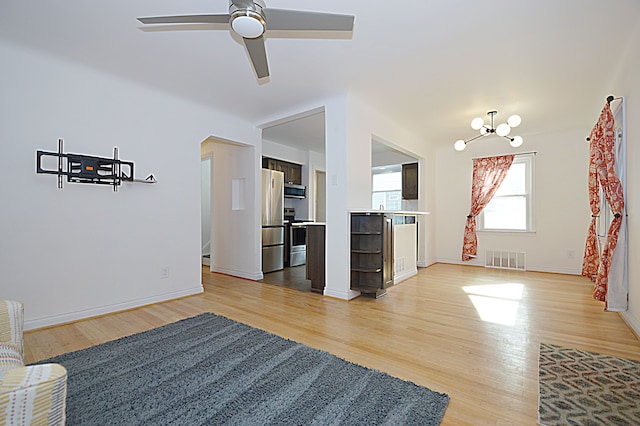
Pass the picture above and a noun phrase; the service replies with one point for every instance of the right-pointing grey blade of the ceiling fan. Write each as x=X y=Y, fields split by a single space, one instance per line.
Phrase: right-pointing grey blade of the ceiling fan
x=295 y=20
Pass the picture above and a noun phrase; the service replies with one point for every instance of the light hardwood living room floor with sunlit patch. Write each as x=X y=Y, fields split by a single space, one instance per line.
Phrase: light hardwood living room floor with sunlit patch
x=428 y=329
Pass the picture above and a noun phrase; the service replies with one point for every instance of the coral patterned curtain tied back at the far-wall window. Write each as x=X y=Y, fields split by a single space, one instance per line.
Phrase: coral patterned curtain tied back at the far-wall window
x=488 y=174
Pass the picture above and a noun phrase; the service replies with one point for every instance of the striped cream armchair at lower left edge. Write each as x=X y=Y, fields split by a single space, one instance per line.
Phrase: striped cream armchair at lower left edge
x=29 y=395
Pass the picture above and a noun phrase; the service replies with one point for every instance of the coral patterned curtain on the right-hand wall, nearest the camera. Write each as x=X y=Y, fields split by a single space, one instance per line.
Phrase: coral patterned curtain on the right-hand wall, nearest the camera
x=602 y=161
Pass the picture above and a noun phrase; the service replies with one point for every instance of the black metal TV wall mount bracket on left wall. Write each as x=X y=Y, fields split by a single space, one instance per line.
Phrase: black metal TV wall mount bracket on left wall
x=80 y=168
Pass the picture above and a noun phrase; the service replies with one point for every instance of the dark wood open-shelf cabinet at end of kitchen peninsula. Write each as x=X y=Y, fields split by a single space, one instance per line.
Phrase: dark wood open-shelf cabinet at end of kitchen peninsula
x=371 y=253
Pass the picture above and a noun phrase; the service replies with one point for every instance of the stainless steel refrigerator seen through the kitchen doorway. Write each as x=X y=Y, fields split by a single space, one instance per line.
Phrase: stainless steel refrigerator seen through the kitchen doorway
x=272 y=220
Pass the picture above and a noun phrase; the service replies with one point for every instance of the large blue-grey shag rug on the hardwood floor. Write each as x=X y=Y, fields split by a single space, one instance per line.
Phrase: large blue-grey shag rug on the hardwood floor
x=211 y=370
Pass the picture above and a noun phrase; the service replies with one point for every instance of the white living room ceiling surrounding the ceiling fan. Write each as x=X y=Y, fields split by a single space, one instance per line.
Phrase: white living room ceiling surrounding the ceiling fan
x=432 y=66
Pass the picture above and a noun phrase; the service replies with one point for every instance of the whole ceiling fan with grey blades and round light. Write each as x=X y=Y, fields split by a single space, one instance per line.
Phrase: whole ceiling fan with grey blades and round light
x=250 y=19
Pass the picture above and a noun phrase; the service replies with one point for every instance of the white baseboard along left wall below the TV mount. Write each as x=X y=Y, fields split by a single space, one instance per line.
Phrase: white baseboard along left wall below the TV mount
x=48 y=321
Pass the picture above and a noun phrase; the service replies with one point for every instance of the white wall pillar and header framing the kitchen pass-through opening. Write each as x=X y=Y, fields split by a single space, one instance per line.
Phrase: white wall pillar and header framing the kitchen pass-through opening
x=351 y=125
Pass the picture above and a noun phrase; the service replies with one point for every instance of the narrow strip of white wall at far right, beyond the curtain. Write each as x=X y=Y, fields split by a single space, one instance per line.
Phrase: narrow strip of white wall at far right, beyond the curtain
x=627 y=84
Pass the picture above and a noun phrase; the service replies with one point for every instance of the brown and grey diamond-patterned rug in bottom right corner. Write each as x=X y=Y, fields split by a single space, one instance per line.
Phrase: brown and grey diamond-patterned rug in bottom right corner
x=577 y=387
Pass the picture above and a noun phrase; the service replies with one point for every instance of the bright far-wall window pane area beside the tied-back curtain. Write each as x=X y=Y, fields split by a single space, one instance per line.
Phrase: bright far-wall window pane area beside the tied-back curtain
x=511 y=209
